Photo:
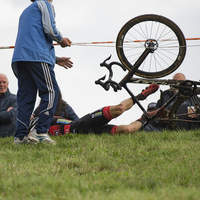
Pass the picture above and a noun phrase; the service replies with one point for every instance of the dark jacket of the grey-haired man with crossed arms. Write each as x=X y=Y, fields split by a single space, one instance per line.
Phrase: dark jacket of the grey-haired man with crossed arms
x=8 y=119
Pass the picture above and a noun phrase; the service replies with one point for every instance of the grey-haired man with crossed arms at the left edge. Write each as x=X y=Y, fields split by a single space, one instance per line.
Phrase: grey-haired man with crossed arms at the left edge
x=8 y=109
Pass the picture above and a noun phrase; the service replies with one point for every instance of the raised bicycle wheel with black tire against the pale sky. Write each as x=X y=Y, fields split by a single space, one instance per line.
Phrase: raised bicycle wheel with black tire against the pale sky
x=167 y=39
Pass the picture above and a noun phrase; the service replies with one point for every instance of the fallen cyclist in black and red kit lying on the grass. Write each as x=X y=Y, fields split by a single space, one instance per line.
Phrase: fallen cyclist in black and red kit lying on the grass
x=97 y=122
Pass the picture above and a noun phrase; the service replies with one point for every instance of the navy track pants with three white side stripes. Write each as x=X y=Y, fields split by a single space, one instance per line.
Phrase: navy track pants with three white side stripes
x=35 y=77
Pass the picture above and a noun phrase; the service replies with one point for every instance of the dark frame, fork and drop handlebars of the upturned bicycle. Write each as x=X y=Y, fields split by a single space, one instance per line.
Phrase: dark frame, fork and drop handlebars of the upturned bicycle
x=188 y=89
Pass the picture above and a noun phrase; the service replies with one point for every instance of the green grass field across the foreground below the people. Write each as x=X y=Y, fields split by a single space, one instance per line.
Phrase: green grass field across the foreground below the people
x=138 y=166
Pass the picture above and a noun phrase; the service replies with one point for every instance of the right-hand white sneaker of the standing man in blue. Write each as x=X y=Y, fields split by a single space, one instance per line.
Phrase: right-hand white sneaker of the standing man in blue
x=42 y=137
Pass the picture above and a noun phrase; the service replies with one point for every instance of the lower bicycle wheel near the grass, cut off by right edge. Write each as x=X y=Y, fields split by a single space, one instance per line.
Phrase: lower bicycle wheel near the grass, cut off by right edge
x=179 y=116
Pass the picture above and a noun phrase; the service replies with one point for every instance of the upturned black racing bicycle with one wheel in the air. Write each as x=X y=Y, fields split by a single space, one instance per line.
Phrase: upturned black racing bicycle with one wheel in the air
x=160 y=52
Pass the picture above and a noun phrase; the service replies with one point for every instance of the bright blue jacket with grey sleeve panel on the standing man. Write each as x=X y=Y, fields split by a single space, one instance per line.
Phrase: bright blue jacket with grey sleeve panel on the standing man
x=36 y=33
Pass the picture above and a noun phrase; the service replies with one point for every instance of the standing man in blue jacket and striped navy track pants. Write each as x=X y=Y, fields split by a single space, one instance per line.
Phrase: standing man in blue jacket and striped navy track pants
x=33 y=63
